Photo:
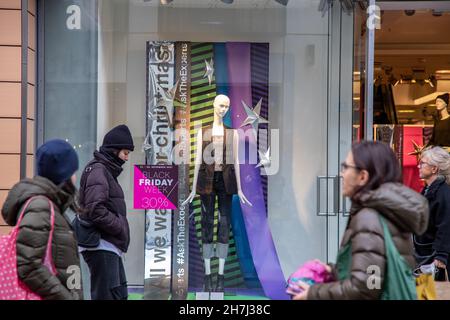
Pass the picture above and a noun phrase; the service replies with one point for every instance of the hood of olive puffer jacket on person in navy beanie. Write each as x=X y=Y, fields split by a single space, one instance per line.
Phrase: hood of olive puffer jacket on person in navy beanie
x=27 y=188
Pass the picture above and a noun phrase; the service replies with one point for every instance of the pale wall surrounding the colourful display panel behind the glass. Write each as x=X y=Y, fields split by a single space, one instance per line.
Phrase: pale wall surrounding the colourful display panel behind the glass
x=298 y=96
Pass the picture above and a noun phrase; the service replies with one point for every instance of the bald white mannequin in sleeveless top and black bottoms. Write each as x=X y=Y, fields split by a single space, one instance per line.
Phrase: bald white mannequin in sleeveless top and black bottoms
x=216 y=174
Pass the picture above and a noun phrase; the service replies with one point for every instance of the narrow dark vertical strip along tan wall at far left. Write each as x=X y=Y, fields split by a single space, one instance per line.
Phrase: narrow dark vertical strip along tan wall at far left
x=24 y=89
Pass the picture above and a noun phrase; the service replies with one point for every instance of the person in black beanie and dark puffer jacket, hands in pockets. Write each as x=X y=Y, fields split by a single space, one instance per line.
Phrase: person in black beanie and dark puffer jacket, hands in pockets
x=104 y=206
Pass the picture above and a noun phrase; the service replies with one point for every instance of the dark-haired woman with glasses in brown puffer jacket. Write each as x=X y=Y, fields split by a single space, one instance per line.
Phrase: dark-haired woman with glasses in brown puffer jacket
x=382 y=210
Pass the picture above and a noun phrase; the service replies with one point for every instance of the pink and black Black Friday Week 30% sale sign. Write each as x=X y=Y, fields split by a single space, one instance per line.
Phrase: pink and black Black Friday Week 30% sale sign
x=155 y=187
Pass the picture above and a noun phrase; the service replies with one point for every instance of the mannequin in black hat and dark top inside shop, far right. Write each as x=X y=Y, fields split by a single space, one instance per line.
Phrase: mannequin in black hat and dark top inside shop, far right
x=441 y=131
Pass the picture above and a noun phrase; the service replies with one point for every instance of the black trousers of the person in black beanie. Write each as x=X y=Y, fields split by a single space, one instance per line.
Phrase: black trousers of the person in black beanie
x=108 y=280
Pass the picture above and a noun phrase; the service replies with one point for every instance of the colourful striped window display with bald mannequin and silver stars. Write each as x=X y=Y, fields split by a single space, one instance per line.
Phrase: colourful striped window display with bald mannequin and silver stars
x=224 y=79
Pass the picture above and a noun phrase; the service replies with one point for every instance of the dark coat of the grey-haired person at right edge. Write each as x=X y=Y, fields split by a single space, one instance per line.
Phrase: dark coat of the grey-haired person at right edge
x=435 y=242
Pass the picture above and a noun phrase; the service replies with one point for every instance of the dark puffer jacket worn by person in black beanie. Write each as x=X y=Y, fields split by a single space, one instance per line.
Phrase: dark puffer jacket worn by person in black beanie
x=103 y=199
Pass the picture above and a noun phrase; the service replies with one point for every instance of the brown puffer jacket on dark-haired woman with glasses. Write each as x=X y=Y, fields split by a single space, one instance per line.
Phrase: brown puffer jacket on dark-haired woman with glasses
x=405 y=211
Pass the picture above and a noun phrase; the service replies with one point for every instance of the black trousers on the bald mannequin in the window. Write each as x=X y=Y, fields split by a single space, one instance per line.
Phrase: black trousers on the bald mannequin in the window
x=208 y=204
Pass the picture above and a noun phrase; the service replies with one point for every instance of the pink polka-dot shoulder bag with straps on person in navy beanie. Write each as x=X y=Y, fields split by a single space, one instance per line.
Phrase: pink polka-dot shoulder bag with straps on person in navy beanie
x=11 y=288
